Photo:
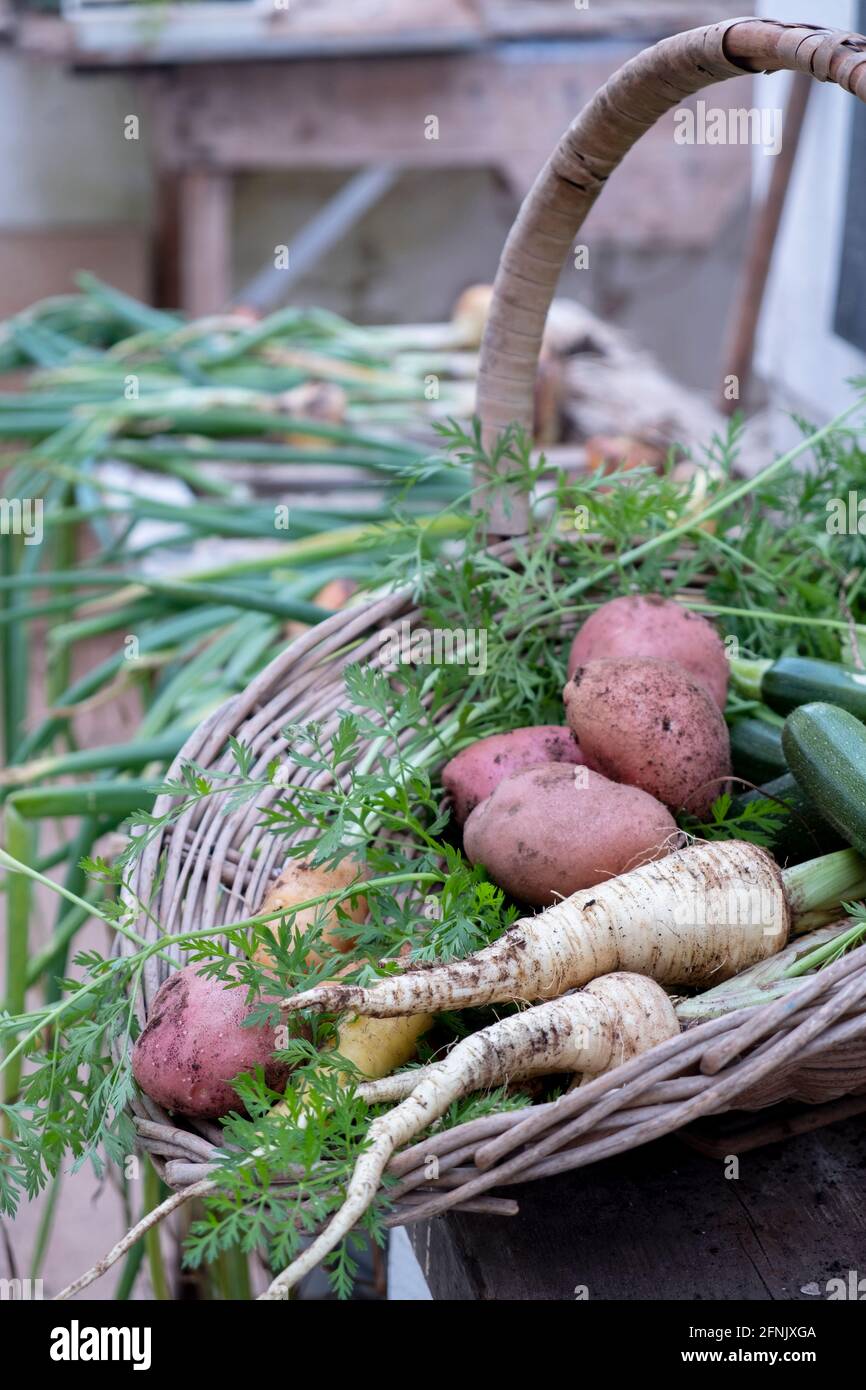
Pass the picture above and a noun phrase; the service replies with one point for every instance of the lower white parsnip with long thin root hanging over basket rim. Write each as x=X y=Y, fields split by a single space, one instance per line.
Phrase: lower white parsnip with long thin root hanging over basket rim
x=608 y=1022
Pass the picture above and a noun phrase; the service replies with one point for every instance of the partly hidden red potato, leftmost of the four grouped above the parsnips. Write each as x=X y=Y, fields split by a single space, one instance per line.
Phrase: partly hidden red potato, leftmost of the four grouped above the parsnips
x=477 y=771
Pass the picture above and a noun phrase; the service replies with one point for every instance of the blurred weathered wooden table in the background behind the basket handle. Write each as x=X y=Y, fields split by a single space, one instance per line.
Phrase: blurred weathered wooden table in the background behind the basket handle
x=351 y=84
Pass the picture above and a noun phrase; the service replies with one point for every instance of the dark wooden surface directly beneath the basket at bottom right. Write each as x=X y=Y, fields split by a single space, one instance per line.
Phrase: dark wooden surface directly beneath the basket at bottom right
x=665 y=1223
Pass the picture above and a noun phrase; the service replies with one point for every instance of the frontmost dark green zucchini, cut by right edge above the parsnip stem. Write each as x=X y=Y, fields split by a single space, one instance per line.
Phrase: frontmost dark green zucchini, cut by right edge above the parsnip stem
x=826 y=751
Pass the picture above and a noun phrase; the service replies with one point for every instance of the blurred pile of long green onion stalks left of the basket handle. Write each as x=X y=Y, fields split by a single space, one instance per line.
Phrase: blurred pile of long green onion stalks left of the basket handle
x=102 y=379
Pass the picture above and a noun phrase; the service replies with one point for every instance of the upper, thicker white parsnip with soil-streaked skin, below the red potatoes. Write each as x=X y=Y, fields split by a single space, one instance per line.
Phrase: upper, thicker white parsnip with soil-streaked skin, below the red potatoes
x=696 y=918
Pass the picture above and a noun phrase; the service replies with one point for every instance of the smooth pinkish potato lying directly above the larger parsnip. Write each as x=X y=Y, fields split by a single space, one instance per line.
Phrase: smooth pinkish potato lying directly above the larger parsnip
x=547 y=832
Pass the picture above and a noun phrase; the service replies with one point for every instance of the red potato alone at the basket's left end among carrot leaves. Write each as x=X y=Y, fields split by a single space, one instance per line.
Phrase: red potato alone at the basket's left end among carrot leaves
x=194 y=1045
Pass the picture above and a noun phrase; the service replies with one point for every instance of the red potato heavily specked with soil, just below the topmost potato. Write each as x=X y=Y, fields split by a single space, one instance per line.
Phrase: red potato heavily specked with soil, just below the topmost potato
x=651 y=725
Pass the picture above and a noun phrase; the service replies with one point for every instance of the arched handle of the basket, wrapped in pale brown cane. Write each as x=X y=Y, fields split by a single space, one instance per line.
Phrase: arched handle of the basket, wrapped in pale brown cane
x=554 y=212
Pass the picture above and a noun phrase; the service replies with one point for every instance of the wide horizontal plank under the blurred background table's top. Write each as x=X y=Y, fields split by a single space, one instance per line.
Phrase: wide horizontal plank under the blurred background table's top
x=504 y=109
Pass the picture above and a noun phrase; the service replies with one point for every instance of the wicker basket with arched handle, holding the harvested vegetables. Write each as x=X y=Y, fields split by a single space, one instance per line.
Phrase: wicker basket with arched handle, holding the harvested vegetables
x=812 y=1045
